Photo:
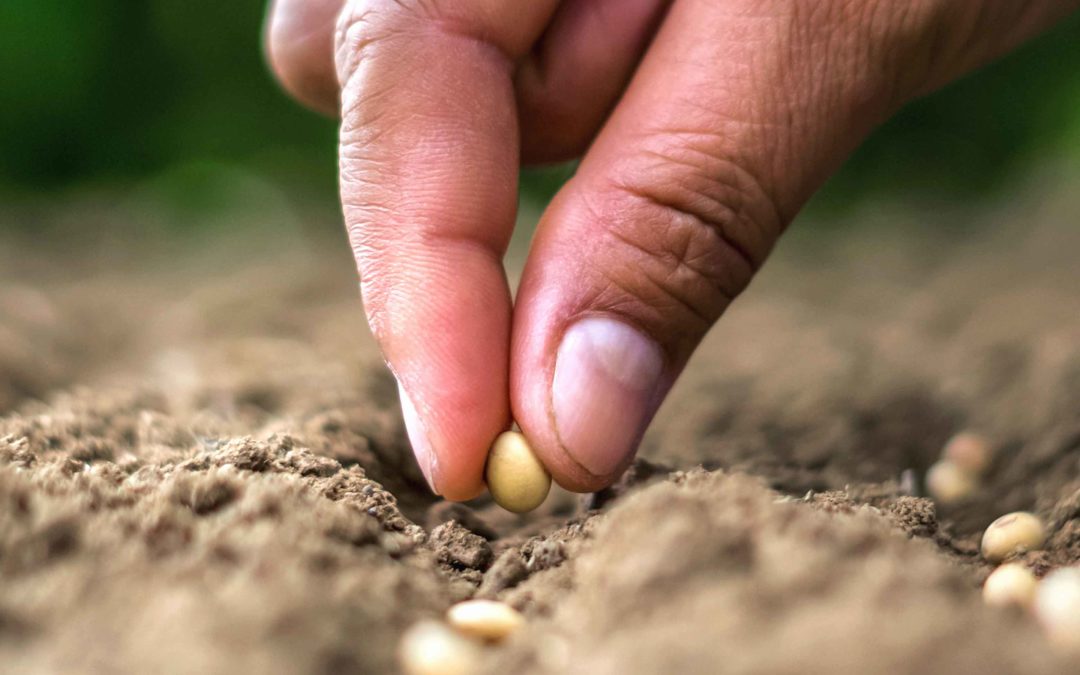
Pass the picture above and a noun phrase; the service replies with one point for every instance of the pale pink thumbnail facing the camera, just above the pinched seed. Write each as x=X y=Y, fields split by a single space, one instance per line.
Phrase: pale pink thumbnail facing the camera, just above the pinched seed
x=606 y=379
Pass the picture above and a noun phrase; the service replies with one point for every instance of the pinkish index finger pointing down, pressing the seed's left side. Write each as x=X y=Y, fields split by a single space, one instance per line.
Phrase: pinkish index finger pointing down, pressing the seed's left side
x=429 y=187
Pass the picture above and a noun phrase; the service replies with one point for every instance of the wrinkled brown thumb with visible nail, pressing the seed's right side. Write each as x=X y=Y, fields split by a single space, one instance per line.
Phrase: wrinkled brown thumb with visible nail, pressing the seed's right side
x=737 y=115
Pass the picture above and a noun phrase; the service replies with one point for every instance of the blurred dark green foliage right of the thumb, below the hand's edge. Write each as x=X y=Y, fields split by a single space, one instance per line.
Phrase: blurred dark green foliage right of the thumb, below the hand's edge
x=971 y=138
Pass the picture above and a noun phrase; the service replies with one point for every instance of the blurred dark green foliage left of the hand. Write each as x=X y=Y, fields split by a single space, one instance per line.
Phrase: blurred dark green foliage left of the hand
x=107 y=90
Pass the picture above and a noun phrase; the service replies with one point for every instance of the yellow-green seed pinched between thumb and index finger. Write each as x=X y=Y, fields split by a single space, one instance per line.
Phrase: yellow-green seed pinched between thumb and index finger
x=516 y=477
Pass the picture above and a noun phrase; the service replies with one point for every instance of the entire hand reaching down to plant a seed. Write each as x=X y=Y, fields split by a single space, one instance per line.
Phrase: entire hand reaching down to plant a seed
x=708 y=126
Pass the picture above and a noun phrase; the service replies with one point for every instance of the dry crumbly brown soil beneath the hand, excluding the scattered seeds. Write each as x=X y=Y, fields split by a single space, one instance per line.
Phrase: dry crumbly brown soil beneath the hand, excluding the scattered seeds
x=204 y=468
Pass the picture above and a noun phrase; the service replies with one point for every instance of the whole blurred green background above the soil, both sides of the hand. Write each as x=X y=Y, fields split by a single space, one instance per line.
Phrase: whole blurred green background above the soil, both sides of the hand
x=110 y=94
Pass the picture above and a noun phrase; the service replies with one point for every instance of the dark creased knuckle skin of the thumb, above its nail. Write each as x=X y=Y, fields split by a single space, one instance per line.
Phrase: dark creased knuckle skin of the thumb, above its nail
x=696 y=237
